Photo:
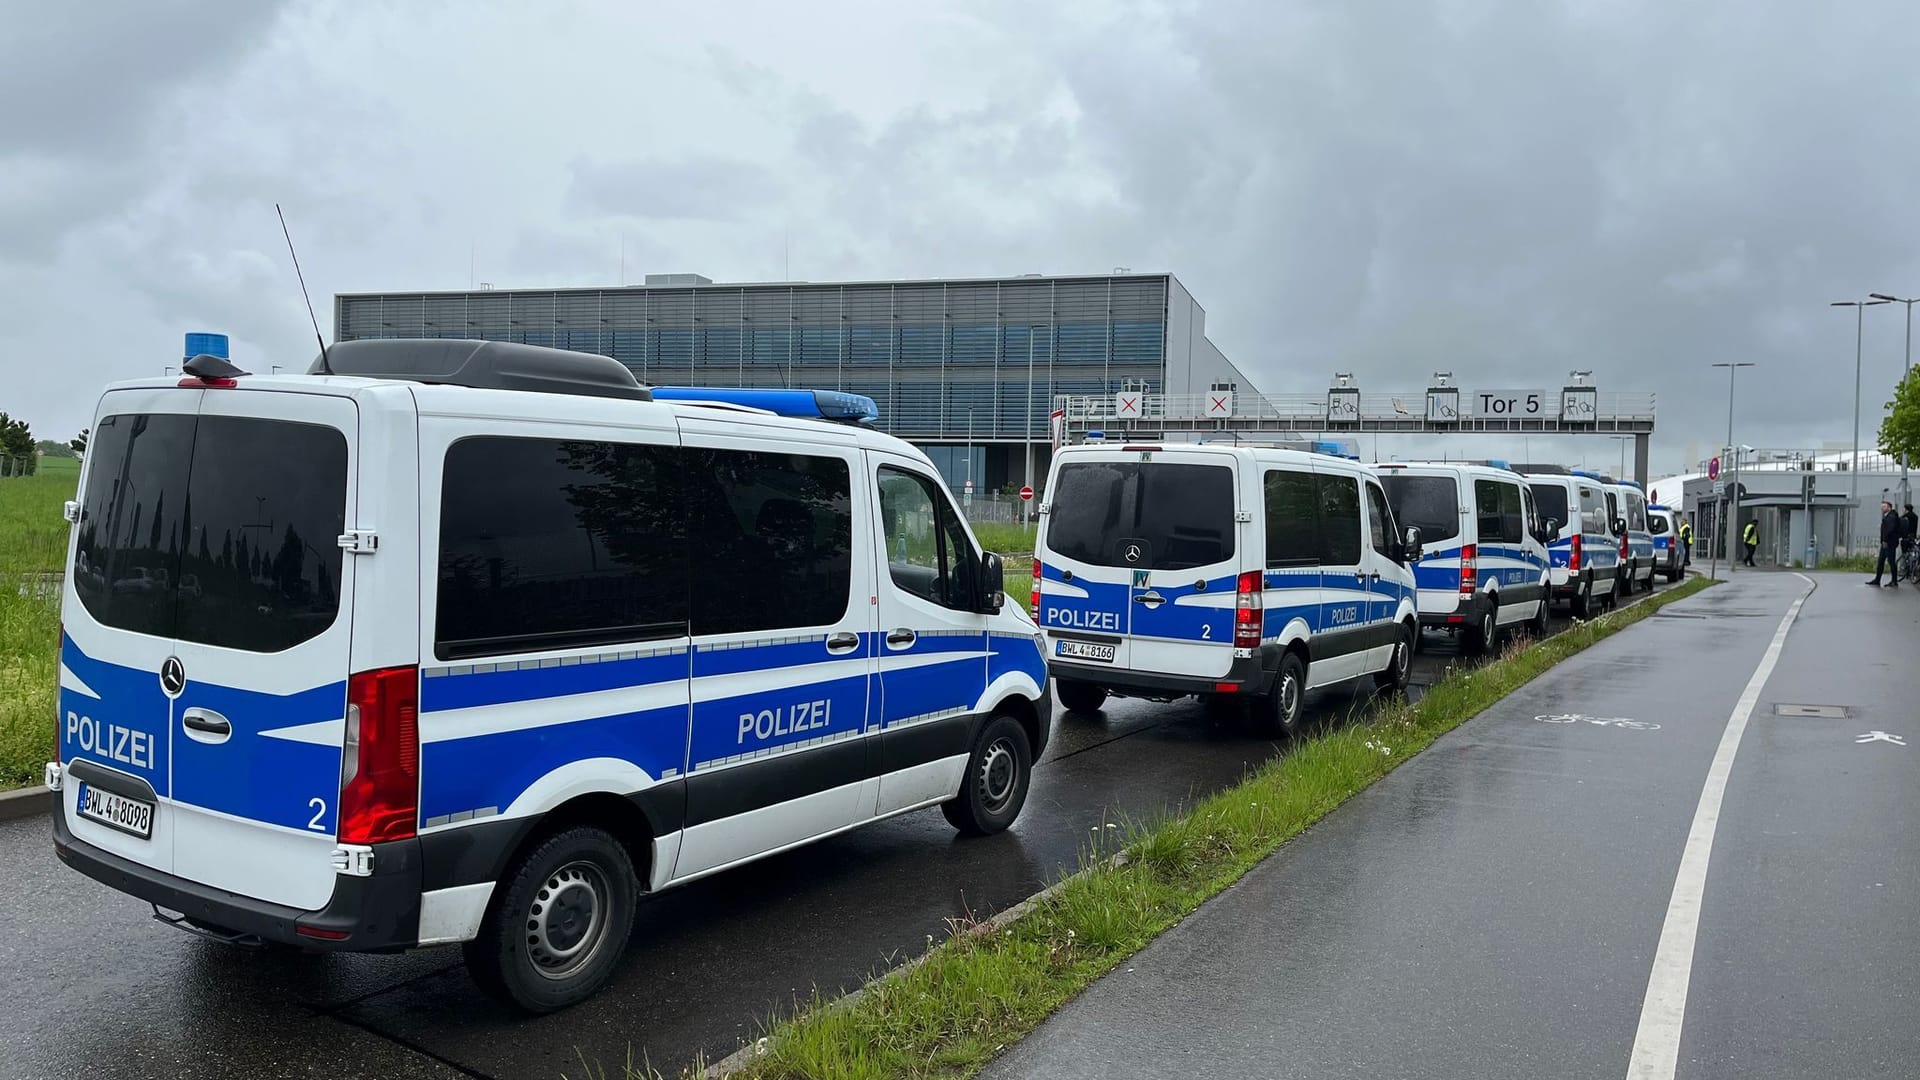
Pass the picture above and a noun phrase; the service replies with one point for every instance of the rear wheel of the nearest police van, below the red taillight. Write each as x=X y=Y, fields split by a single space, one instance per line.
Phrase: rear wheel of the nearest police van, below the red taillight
x=592 y=873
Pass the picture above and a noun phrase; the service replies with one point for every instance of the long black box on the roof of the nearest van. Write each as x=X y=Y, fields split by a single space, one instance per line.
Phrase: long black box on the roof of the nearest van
x=491 y=366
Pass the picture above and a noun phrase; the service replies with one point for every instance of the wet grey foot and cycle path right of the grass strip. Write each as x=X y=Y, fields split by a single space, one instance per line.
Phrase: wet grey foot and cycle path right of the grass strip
x=1493 y=908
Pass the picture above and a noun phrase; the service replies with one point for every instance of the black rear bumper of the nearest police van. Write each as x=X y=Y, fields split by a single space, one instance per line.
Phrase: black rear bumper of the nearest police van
x=375 y=914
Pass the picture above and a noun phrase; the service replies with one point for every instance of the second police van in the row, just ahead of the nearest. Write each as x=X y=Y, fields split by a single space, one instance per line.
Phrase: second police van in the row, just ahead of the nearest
x=1226 y=572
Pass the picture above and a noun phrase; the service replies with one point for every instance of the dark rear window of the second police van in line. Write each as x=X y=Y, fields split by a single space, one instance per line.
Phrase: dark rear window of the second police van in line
x=1180 y=516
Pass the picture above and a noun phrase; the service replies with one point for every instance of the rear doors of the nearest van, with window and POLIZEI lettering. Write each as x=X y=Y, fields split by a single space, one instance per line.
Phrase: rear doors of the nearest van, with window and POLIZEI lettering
x=210 y=624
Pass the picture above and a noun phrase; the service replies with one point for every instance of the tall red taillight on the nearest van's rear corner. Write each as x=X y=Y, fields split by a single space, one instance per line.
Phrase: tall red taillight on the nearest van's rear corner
x=381 y=758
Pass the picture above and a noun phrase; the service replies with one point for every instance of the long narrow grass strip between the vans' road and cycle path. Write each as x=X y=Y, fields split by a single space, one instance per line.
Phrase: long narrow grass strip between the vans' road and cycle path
x=978 y=993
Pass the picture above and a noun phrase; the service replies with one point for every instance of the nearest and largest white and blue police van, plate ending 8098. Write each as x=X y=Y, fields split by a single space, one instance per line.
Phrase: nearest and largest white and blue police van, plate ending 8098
x=489 y=641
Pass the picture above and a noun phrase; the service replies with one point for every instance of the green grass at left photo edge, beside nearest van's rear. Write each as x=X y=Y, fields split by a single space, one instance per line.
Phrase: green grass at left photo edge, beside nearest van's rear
x=34 y=541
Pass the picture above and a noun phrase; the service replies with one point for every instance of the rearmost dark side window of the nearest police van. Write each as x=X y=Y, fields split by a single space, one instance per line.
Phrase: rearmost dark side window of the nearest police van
x=558 y=545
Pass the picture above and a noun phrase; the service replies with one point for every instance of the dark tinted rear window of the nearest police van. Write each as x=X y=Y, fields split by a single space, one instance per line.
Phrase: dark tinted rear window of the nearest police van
x=222 y=531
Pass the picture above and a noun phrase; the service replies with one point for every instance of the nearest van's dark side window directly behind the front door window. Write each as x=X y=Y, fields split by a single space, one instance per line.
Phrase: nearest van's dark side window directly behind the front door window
x=773 y=541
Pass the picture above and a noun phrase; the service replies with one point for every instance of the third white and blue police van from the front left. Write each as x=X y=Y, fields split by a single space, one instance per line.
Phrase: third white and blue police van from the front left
x=1485 y=551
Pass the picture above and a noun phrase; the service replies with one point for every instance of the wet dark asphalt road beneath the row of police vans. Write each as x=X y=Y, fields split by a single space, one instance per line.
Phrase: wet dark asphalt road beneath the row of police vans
x=93 y=987
